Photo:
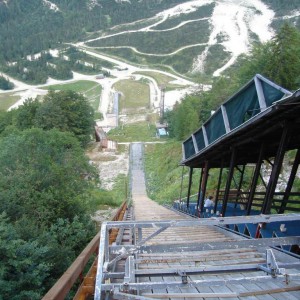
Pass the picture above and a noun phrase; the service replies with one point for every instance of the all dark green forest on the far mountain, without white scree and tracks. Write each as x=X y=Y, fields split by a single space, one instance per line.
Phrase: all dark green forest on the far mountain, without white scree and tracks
x=28 y=27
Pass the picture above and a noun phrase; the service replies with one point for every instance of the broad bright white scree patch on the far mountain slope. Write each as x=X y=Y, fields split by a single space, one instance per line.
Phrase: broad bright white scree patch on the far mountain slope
x=235 y=20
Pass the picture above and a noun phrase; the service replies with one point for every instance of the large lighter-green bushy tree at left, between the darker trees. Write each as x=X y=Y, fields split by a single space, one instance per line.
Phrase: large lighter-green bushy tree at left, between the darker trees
x=42 y=176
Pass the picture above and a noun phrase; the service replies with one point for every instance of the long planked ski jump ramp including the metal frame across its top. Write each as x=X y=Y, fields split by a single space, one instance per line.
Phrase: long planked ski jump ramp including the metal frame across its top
x=170 y=256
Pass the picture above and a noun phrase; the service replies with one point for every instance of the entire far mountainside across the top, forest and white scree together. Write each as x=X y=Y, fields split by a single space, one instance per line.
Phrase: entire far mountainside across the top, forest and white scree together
x=190 y=37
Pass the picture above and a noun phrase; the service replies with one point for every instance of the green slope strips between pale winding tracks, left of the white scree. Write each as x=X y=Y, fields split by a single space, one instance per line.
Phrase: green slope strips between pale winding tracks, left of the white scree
x=163 y=42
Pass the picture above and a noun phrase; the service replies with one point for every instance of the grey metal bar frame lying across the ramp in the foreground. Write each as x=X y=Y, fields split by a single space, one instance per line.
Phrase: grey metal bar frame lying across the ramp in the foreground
x=126 y=282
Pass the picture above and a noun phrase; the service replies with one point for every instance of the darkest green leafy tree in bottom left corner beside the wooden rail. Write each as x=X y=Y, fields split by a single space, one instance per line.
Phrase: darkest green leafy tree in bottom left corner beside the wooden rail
x=23 y=268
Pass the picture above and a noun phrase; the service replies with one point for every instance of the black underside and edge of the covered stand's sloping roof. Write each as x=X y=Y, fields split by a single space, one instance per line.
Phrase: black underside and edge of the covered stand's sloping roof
x=265 y=127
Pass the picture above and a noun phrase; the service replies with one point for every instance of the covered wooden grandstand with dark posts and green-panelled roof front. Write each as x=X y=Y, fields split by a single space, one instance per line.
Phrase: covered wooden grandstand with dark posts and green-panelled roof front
x=256 y=126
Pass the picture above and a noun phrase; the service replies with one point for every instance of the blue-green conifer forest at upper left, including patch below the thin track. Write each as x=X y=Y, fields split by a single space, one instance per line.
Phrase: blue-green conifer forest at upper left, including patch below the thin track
x=28 y=27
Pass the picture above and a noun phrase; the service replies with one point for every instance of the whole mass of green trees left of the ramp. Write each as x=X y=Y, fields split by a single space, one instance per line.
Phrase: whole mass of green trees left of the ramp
x=47 y=191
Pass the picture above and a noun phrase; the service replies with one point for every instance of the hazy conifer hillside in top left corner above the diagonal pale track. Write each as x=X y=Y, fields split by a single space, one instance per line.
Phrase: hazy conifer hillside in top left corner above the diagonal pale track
x=29 y=26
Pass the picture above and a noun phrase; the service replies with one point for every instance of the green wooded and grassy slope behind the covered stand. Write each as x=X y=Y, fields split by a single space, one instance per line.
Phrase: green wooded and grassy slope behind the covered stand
x=278 y=60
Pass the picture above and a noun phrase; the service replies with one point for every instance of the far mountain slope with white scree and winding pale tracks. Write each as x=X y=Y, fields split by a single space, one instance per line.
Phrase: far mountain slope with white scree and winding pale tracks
x=200 y=36
